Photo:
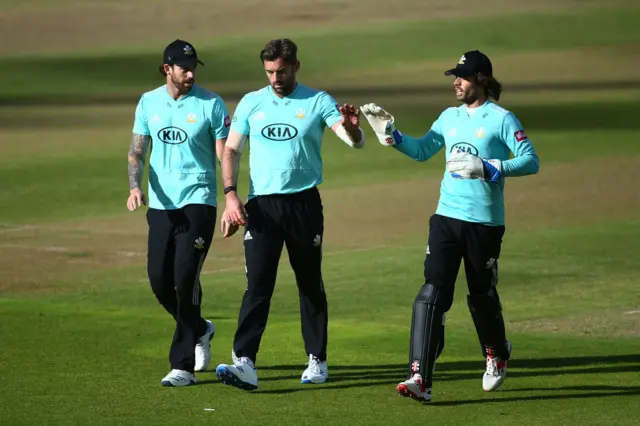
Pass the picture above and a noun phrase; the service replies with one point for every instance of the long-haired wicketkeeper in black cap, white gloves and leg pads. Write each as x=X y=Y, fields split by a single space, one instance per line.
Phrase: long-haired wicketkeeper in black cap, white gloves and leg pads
x=468 y=225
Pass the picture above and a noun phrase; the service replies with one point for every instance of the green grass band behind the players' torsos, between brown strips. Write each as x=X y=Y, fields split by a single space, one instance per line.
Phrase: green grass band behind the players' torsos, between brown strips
x=96 y=166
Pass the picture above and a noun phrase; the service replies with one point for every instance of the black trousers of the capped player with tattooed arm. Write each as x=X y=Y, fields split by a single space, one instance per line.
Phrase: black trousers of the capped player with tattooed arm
x=179 y=241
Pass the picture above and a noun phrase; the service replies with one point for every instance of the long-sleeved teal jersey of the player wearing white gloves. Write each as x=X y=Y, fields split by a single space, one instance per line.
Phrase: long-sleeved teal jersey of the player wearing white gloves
x=491 y=132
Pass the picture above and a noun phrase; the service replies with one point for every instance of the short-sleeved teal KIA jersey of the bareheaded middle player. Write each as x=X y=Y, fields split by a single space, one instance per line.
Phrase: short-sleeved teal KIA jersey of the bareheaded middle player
x=285 y=138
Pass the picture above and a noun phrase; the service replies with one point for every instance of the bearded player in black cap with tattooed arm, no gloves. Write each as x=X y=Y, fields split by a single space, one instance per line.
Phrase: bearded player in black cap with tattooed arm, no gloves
x=187 y=126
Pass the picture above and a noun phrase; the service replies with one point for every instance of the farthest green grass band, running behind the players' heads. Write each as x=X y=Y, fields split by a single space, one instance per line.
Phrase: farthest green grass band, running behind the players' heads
x=234 y=61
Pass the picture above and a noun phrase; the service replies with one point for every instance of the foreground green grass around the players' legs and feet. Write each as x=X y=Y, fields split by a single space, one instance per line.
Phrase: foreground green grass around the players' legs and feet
x=104 y=358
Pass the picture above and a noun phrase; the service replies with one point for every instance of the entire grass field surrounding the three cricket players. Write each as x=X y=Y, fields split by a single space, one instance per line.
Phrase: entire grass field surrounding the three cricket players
x=82 y=338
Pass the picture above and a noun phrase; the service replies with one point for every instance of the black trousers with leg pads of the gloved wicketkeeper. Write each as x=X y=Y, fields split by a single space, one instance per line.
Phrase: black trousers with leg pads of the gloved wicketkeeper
x=450 y=242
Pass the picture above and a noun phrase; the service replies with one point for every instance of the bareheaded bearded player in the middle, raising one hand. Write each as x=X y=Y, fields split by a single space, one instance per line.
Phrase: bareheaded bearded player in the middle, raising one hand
x=284 y=123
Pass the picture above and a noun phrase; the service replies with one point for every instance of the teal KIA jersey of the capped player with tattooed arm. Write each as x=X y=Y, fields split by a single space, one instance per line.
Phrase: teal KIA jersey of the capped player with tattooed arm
x=182 y=163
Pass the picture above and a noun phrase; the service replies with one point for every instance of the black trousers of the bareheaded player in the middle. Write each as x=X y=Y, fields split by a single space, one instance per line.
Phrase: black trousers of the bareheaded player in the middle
x=274 y=220
